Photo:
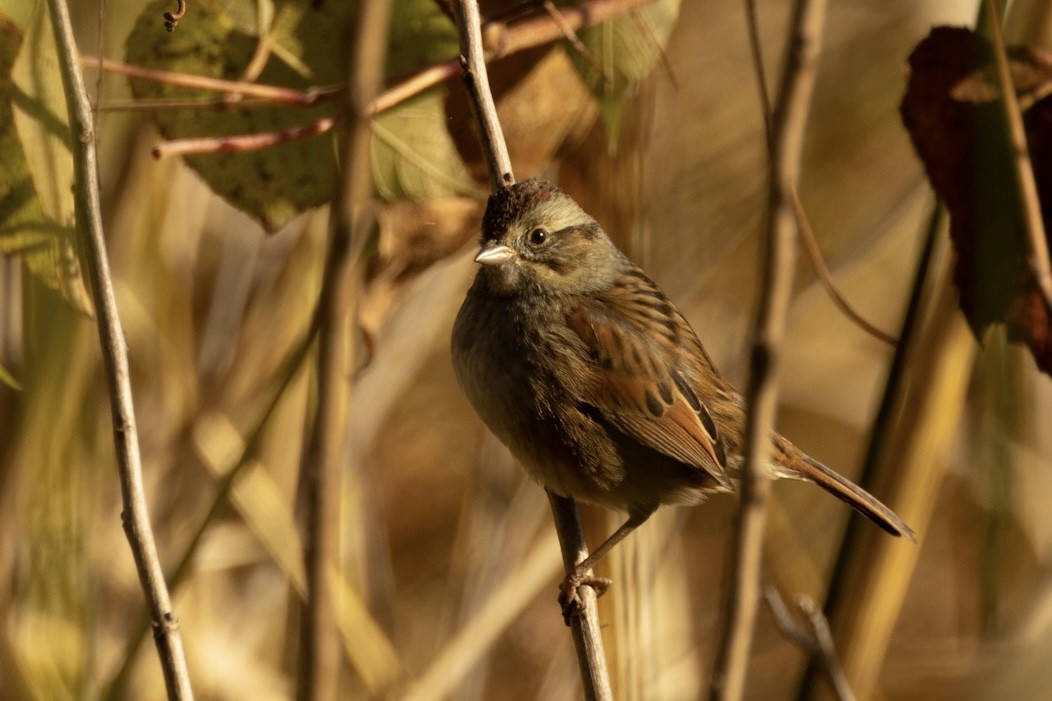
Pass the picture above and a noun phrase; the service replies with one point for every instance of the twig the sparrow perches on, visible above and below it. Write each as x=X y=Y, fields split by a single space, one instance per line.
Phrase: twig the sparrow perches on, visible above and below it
x=585 y=628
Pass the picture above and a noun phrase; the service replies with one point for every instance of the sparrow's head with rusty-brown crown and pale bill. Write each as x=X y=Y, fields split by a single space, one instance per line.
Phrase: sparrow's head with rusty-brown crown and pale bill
x=536 y=239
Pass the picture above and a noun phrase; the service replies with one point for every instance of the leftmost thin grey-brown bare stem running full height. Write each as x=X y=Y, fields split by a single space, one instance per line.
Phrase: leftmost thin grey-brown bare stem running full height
x=136 y=514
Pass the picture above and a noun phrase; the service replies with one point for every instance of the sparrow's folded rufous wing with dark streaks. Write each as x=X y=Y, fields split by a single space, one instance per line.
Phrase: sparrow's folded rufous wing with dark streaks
x=636 y=341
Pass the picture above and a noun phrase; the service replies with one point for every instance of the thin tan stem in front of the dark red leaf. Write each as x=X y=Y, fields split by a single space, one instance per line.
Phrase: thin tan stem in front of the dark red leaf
x=1029 y=202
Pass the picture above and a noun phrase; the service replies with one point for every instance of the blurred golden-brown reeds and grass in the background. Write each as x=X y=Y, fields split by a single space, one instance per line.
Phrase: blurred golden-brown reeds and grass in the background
x=451 y=564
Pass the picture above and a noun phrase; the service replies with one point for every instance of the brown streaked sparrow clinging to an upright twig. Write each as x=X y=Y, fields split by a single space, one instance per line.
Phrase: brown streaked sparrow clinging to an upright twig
x=582 y=367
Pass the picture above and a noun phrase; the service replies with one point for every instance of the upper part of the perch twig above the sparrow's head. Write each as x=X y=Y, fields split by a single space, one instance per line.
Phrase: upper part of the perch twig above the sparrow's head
x=477 y=81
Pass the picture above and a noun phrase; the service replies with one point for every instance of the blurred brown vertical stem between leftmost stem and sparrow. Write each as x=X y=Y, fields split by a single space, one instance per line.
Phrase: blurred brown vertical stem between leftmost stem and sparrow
x=319 y=669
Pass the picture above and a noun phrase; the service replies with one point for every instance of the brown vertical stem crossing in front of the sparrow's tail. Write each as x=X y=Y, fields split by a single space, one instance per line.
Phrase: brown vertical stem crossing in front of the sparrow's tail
x=790 y=122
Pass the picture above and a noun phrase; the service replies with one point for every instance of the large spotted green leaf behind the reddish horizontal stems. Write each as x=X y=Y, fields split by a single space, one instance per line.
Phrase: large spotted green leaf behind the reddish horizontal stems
x=272 y=185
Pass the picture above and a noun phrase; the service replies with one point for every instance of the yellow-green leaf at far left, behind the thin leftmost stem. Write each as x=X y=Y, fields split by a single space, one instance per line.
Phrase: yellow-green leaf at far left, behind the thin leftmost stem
x=38 y=230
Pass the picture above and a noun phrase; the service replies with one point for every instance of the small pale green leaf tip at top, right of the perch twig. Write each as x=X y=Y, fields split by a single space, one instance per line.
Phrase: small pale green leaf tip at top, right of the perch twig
x=626 y=49
